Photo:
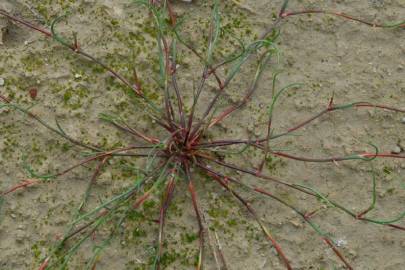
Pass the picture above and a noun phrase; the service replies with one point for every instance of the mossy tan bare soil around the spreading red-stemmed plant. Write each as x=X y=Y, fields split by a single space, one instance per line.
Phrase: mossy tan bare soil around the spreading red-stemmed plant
x=328 y=55
